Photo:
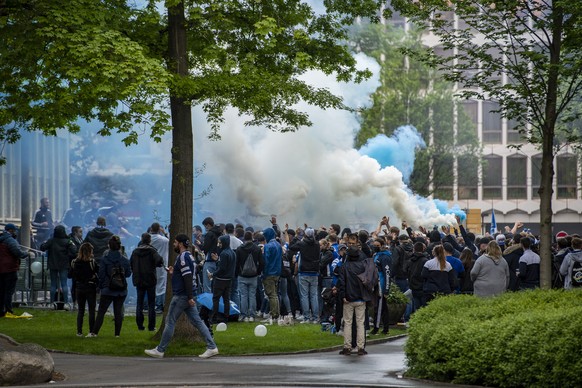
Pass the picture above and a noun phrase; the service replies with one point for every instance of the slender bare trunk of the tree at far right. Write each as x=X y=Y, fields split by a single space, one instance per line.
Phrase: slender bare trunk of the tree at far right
x=547 y=174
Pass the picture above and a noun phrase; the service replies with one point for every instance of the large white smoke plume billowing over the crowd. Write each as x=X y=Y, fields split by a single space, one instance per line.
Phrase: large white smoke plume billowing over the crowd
x=312 y=176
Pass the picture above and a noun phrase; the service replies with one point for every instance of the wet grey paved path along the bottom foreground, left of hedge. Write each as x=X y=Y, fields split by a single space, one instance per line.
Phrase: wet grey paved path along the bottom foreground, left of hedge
x=381 y=367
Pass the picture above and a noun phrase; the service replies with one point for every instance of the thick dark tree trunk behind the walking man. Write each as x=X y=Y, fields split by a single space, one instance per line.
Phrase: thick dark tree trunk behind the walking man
x=182 y=154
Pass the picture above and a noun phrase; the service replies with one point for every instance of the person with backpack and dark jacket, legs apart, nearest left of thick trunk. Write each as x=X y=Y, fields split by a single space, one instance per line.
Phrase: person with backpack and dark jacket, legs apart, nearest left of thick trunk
x=113 y=269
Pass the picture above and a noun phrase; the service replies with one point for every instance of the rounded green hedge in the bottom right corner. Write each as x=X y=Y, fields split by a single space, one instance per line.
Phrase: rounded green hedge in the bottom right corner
x=523 y=339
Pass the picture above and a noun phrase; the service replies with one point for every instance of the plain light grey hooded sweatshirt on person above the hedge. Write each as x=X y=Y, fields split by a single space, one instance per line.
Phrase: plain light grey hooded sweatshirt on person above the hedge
x=490 y=276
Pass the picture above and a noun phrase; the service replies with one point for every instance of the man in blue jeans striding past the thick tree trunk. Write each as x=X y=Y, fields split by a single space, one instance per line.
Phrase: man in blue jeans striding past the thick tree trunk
x=183 y=301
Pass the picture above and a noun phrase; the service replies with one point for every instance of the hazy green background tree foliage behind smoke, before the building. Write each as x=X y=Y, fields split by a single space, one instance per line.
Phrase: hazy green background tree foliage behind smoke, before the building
x=411 y=92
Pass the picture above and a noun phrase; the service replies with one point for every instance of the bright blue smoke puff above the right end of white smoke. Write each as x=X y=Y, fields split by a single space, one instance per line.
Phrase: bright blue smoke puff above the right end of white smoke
x=397 y=150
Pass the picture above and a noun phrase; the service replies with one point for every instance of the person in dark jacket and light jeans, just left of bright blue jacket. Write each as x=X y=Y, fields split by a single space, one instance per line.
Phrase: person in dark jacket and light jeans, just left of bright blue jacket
x=248 y=257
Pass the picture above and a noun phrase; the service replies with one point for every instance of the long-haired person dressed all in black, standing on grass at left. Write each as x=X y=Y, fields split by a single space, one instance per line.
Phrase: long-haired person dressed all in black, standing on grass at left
x=84 y=272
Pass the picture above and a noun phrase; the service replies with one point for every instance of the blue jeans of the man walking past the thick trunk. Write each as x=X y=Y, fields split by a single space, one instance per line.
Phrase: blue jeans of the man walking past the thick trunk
x=179 y=305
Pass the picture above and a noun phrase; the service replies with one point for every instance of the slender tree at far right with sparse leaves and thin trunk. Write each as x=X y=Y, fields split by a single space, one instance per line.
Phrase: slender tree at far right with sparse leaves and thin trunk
x=536 y=46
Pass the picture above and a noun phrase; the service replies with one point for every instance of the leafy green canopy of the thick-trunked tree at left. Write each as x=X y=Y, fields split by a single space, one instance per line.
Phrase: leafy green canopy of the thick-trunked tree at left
x=108 y=61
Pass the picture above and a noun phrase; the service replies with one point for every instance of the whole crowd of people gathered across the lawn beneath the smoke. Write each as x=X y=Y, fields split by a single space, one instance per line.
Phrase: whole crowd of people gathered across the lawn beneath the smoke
x=275 y=275
